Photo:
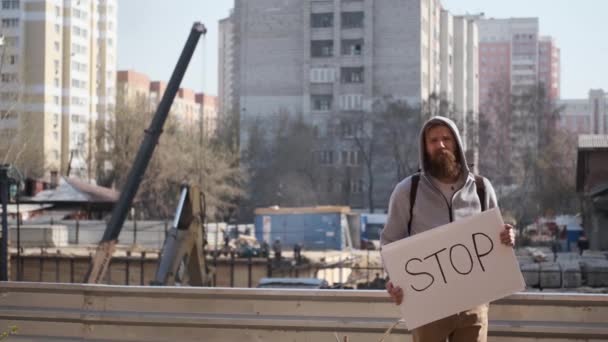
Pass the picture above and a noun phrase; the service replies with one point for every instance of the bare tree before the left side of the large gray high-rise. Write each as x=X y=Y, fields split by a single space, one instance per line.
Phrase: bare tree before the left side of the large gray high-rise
x=280 y=162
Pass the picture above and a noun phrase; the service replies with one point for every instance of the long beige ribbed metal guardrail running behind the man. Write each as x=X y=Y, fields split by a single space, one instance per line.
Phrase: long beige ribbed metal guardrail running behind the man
x=80 y=312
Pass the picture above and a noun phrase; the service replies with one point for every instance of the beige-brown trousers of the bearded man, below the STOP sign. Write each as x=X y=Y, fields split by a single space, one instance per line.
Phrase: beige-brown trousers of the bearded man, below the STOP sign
x=467 y=326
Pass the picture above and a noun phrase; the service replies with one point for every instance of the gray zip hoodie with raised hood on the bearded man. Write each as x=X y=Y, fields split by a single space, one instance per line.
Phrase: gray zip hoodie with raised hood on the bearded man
x=431 y=209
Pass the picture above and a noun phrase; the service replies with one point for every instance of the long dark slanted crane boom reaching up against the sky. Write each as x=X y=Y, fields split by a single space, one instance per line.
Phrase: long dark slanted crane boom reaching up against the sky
x=105 y=249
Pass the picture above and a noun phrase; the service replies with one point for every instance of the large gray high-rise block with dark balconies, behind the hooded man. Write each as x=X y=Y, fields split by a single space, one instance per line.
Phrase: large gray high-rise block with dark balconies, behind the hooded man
x=331 y=61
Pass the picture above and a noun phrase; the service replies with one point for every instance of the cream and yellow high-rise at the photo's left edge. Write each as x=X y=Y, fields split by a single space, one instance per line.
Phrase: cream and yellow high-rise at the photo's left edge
x=58 y=80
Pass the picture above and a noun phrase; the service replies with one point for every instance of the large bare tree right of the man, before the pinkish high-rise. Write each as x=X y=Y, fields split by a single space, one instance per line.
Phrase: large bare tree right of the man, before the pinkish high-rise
x=531 y=158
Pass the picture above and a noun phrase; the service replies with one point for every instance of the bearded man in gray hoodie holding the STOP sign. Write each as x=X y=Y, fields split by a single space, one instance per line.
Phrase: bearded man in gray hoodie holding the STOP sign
x=446 y=191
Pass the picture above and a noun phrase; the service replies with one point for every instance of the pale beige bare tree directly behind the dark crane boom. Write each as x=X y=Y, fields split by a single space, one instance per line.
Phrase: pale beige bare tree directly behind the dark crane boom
x=182 y=156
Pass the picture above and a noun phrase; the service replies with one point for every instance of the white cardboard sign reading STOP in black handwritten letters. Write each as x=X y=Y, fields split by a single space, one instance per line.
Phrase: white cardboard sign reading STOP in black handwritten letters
x=452 y=268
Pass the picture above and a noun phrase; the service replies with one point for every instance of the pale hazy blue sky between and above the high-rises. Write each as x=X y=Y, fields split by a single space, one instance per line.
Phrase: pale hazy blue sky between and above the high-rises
x=151 y=35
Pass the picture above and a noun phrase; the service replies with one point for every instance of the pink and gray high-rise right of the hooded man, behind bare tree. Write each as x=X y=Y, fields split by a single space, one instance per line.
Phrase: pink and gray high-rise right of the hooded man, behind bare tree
x=514 y=60
